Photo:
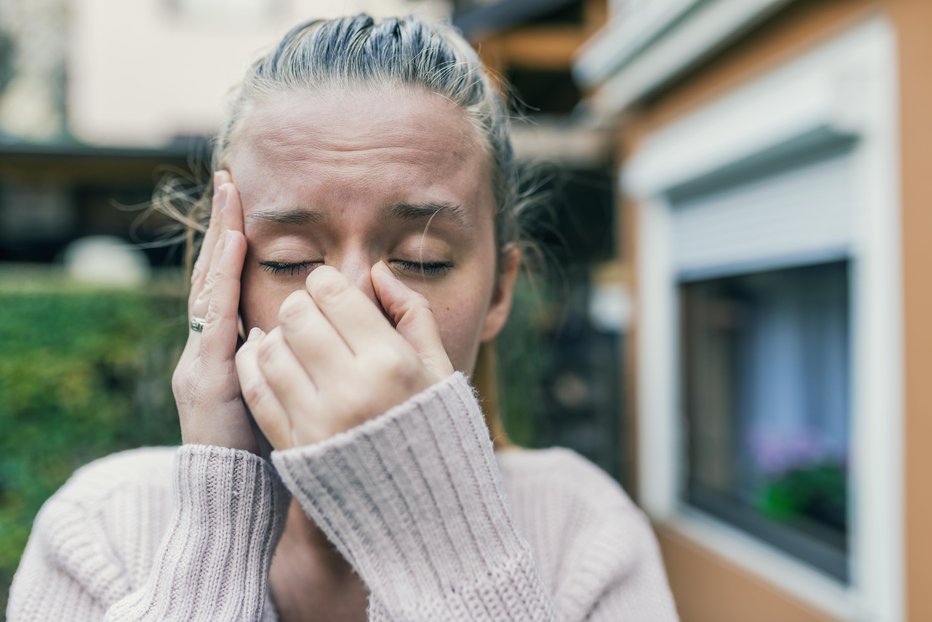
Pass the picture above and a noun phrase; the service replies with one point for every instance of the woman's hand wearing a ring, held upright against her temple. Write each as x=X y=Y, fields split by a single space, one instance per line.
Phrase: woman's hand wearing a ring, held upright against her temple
x=205 y=383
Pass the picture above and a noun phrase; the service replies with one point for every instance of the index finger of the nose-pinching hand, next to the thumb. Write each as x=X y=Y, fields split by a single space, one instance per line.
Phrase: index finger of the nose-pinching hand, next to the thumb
x=356 y=319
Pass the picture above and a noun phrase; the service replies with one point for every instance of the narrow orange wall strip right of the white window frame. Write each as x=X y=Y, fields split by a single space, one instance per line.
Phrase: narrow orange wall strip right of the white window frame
x=913 y=20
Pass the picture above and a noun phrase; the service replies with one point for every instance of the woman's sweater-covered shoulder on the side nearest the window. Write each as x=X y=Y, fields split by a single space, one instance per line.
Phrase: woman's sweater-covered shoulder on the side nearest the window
x=594 y=547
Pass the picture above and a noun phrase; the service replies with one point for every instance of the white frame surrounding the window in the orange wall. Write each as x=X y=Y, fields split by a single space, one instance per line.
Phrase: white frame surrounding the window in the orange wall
x=848 y=84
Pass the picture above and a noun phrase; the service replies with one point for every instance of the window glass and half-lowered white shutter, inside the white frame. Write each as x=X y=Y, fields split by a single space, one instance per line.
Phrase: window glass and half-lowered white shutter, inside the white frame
x=761 y=274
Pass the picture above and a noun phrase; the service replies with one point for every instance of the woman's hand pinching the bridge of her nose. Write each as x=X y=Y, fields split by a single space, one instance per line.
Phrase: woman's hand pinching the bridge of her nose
x=335 y=361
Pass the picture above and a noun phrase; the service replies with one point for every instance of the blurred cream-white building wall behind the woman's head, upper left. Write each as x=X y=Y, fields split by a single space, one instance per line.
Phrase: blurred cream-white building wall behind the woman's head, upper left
x=141 y=72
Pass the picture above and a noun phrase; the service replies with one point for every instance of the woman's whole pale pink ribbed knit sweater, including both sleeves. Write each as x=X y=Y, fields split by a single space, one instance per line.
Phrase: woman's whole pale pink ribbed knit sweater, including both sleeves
x=437 y=525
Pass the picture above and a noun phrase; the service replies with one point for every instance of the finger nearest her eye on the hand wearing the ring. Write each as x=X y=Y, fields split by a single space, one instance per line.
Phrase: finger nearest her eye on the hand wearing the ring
x=218 y=340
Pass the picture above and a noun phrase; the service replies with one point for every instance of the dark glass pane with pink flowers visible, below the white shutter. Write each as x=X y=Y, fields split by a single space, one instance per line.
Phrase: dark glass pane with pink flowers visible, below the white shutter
x=766 y=386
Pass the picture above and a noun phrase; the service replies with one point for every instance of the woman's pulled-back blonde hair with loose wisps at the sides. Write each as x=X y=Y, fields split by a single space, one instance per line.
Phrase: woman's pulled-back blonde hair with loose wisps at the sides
x=394 y=52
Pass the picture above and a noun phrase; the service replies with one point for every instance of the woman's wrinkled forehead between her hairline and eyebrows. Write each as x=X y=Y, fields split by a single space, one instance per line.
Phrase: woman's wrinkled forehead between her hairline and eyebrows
x=359 y=145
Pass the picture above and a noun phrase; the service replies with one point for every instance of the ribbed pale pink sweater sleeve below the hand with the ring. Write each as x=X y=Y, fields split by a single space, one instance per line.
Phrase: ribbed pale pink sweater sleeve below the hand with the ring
x=230 y=508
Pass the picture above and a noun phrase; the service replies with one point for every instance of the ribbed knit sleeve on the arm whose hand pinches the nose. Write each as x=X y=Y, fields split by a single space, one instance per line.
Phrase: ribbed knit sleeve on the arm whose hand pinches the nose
x=414 y=501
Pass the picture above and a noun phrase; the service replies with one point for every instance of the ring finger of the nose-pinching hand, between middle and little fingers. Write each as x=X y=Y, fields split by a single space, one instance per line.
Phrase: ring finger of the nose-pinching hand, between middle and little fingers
x=292 y=387
